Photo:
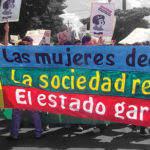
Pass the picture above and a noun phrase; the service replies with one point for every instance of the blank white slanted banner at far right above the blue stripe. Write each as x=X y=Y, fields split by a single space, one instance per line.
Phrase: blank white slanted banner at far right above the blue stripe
x=137 y=35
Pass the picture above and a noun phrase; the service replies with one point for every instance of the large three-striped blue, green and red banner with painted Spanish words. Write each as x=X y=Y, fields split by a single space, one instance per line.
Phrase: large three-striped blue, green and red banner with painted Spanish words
x=109 y=83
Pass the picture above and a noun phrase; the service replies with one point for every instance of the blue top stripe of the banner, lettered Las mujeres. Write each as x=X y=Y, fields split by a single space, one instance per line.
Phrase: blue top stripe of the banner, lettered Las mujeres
x=115 y=58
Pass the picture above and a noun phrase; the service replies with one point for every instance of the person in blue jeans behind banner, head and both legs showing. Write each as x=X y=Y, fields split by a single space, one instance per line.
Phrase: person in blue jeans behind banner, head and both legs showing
x=17 y=113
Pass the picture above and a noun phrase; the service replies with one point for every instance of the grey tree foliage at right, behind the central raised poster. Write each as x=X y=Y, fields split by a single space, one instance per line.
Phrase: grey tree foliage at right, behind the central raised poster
x=127 y=21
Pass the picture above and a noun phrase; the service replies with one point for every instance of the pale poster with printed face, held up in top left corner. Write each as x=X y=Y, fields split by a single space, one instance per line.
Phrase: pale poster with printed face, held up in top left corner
x=10 y=10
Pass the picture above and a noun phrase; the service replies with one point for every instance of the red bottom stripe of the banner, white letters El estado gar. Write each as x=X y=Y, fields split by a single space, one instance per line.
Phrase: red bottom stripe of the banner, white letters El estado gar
x=107 y=108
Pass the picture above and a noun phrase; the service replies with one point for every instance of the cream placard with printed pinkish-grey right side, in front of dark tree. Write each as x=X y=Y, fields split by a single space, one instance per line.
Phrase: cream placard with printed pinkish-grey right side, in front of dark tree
x=40 y=37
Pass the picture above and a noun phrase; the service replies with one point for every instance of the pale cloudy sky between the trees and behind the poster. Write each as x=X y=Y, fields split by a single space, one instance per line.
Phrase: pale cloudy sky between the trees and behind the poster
x=78 y=9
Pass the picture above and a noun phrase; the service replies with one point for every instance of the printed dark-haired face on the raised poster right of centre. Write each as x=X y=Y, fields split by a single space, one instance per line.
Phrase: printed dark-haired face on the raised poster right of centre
x=98 y=21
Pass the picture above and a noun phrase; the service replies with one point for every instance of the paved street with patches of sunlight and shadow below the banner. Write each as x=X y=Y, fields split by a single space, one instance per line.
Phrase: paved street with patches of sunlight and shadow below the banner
x=116 y=137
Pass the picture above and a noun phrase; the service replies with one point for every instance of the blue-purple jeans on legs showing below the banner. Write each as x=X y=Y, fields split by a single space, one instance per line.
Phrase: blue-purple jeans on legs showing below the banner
x=16 y=120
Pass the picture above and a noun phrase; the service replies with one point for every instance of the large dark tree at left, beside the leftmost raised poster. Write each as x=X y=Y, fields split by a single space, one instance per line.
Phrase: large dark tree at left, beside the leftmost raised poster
x=40 y=14
